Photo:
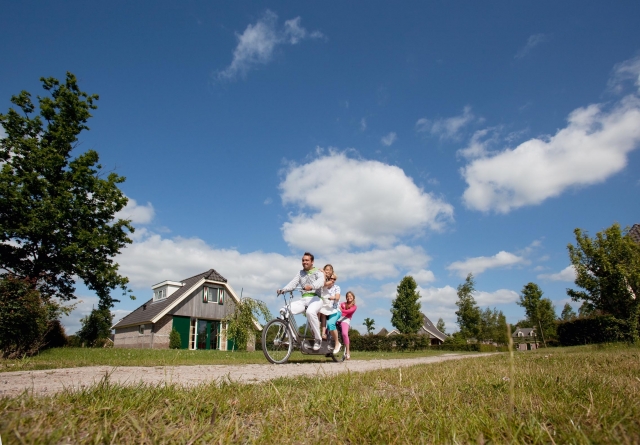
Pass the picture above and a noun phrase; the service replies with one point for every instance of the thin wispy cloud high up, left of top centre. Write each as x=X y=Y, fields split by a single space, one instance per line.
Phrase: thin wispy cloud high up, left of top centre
x=258 y=42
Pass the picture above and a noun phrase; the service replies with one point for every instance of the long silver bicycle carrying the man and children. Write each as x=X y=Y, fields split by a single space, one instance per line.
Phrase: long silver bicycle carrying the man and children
x=281 y=336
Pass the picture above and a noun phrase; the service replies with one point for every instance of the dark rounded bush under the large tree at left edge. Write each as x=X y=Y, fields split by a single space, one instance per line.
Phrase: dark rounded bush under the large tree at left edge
x=25 y=318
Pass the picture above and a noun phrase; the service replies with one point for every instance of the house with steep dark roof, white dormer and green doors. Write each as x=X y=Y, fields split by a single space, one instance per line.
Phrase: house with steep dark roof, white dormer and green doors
x=195 y=307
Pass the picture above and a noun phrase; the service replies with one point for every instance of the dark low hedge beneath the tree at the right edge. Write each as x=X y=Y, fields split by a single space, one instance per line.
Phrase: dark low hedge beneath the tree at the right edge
x=596 y=329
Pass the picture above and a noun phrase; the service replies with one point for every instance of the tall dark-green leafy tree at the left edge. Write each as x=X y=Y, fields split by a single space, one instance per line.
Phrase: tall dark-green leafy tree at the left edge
x=57 y=213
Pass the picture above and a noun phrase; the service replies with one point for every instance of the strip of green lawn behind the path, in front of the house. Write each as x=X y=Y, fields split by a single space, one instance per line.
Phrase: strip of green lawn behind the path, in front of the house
x=78 y=357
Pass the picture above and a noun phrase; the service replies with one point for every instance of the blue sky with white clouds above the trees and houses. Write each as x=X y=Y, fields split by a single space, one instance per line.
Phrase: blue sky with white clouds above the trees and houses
x=433 y=139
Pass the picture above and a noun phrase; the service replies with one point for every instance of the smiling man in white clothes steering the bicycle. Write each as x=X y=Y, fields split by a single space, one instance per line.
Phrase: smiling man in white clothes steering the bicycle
x=311 y=280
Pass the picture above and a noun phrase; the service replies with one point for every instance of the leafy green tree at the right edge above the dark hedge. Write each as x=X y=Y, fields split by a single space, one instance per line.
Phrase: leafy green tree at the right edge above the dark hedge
x=608 y=269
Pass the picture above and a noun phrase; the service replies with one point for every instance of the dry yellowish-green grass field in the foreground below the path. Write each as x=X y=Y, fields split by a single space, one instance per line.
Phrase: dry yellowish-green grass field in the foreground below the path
x=578 y=395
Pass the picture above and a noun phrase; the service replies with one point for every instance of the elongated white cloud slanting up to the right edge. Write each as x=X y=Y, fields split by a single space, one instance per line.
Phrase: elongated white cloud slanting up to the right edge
x=591 y=148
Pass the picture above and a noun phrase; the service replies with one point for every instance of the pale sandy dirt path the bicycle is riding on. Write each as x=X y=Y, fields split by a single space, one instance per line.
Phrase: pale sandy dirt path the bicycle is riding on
x=55 y=380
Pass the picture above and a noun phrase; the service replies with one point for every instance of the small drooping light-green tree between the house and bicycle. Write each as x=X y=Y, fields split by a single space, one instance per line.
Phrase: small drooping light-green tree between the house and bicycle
x=242 y=322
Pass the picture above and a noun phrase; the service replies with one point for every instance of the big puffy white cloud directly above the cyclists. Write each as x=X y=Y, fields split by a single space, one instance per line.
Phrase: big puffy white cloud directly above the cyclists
x=344 y=203
